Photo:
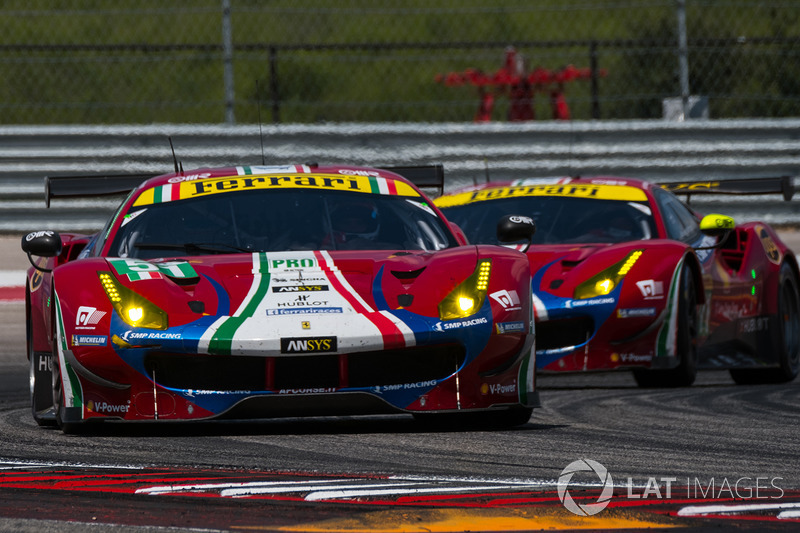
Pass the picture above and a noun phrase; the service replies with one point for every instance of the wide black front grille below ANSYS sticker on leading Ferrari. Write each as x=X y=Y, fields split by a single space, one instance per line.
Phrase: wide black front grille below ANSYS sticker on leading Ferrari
x=361 y=369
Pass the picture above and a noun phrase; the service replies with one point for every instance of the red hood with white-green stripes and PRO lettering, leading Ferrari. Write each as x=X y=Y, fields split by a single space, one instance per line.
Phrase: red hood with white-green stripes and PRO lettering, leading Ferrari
x=285 y=283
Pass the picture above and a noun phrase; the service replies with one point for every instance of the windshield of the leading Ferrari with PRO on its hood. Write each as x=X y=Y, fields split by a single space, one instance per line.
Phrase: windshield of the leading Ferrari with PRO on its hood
x=269 y=221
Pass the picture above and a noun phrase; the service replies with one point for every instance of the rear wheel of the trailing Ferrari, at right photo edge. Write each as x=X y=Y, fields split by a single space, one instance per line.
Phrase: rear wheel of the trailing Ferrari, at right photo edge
x=787 y=336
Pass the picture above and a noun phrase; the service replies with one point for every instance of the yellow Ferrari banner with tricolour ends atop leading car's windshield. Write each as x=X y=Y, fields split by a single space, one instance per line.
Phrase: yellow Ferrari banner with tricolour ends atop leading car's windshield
x=337 y=182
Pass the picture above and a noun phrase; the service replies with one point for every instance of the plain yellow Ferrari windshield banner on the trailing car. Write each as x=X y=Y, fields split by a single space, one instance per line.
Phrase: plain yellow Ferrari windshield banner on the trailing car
x=575 y=190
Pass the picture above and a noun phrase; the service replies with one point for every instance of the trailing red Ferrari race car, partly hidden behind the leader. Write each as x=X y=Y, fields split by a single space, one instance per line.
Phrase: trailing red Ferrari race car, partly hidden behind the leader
x=626 y=275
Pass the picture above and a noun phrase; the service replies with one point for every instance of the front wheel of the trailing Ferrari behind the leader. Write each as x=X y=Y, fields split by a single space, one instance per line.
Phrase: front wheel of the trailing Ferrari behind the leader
x=685 y=373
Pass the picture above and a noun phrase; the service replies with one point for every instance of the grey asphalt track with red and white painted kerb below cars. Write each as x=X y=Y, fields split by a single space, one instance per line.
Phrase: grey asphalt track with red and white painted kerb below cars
x=715 y=455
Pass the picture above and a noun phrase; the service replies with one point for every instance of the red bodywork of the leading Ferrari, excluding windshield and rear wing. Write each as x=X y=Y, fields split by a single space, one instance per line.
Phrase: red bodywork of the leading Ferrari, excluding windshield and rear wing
x=280 y=333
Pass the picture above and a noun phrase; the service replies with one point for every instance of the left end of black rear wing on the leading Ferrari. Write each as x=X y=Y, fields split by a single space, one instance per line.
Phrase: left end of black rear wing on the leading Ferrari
x=91 y=185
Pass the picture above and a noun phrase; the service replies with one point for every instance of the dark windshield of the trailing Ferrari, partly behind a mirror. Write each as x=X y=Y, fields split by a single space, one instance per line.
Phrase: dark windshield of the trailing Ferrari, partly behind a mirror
x=559 y=220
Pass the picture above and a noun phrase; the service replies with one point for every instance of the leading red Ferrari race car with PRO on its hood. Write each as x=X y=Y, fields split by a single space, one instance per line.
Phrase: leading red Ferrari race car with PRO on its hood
x=250 y=292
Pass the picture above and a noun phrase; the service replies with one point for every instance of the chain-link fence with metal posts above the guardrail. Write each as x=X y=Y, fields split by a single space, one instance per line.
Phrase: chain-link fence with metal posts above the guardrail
x=304 y=61
